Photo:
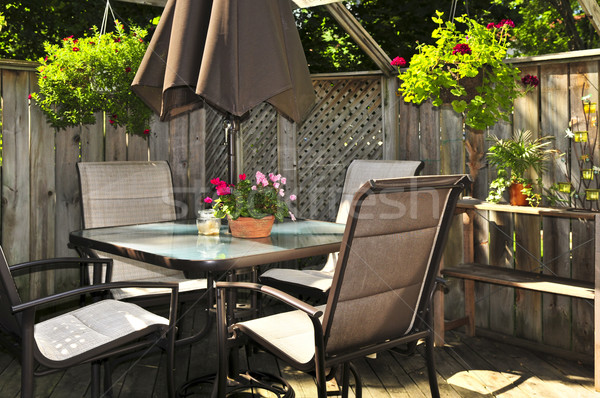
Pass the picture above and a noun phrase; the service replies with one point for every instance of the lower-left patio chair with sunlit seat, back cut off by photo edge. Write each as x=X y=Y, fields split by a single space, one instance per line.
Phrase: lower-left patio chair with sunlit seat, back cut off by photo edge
x=92 y=334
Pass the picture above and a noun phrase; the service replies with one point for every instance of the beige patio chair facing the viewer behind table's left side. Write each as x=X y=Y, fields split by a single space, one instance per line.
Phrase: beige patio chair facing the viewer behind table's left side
x=123 y=193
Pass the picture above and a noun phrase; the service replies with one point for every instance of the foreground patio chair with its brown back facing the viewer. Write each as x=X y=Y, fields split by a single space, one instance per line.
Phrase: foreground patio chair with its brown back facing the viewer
x=382 y=286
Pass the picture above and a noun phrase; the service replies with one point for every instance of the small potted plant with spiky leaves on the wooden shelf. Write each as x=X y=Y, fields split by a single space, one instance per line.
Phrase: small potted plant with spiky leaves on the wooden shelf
x=514 y=158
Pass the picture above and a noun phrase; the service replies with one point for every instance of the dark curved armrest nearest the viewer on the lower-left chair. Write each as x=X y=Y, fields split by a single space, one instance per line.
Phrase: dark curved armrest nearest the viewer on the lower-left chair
x=174 y=286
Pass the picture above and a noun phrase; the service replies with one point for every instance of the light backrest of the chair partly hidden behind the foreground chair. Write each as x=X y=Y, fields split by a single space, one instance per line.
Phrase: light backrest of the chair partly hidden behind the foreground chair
x=361 y=171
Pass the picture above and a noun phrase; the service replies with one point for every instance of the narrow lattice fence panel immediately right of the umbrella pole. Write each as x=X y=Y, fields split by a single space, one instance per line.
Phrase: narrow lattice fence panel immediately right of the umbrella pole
x=259 y=140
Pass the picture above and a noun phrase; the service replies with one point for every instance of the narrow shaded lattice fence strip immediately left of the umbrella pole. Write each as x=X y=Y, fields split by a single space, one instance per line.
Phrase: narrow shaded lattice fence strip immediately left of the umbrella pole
x=216 y=150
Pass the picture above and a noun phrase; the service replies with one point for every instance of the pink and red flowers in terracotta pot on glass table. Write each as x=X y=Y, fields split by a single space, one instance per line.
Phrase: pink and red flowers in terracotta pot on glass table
x=252 y=207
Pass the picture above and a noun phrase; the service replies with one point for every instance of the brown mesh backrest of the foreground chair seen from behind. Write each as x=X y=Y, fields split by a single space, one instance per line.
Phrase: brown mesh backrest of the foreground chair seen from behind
x=389 y=259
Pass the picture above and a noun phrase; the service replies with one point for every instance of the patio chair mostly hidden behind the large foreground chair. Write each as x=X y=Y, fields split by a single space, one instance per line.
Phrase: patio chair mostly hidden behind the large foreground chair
x=316 y=283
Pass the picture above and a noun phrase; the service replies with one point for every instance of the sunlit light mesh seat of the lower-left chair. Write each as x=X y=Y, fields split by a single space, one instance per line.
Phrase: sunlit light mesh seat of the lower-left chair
x=82 y=331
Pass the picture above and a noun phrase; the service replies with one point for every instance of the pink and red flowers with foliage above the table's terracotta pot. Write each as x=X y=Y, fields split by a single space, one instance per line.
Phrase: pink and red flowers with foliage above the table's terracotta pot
x=247 y=199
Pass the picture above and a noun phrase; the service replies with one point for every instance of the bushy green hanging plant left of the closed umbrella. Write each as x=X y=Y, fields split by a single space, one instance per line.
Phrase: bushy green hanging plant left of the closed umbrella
x=81 y=77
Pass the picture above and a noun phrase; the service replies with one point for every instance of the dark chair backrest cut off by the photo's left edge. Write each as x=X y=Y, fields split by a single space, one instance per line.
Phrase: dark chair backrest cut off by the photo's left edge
x=9 y=296
